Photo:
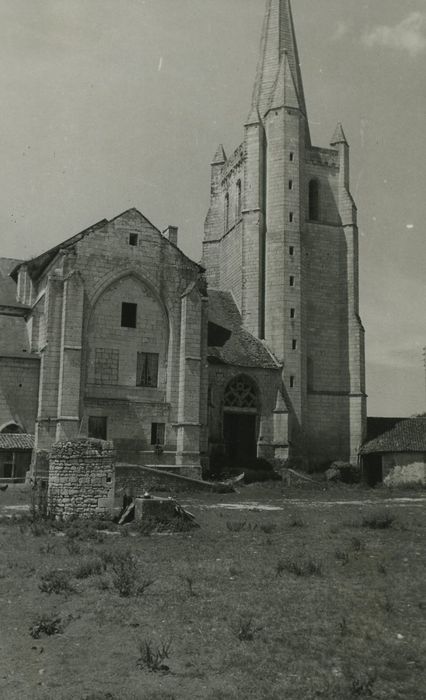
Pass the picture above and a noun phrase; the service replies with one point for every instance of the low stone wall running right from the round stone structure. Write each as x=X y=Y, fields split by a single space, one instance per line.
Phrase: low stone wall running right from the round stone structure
x=142 y=479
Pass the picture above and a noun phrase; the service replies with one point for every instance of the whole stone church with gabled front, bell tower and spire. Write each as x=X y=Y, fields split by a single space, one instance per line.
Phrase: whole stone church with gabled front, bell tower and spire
x=257 y=351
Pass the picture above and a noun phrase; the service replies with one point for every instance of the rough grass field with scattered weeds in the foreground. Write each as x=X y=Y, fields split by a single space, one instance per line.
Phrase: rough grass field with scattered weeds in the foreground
x=321 y=599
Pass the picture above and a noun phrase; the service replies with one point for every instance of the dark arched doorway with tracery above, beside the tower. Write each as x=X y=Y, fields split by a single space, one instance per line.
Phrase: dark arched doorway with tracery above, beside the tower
x=240 y=420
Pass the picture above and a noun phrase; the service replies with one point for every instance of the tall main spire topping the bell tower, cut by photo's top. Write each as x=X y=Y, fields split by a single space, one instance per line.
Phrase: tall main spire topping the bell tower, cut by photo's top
x=278 y=36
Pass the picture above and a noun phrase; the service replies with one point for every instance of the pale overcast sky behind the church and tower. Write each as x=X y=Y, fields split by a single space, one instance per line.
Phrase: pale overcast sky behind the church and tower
x=109 y=104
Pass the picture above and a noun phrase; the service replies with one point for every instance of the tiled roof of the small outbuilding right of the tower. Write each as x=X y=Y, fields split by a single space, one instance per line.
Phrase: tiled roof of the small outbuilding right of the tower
x=407 y=436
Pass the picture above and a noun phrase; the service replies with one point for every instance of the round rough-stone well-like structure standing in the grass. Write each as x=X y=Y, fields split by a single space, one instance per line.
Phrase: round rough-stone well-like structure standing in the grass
x=81 y=478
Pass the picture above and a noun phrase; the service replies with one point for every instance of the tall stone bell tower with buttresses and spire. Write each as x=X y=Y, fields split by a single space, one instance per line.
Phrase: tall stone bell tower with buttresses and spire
x=281 y=235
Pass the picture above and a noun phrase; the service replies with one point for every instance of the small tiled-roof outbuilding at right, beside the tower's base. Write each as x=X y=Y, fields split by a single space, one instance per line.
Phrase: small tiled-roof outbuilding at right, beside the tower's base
x=398 y=456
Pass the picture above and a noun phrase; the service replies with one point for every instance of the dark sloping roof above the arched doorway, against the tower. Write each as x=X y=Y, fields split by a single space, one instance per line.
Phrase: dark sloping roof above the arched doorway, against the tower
x=242 y=348
